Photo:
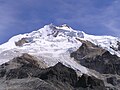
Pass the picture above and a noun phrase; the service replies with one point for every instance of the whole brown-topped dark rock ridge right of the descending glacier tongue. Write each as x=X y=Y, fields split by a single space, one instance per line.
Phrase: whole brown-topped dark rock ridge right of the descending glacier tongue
x=100 y=60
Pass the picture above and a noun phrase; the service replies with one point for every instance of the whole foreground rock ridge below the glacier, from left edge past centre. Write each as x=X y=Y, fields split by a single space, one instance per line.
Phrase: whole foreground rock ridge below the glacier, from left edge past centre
x=22 y=73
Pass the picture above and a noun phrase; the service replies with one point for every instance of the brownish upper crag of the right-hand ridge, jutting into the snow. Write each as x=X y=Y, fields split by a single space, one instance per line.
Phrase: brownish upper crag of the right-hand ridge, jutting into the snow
x=87 y=50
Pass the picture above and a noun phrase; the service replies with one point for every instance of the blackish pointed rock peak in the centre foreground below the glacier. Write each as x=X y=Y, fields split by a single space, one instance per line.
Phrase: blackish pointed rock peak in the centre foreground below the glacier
x=59 y=72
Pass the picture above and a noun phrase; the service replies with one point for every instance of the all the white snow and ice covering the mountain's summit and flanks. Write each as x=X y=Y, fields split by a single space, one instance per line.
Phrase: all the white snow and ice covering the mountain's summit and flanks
x=53 y=44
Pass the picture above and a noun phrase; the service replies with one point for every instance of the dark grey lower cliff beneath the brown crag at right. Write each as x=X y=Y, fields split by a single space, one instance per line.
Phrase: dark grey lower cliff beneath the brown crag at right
x=105 y=64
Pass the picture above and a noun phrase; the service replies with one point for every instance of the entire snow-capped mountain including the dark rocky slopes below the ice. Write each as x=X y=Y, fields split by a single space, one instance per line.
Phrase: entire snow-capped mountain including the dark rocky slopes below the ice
x=60 y=58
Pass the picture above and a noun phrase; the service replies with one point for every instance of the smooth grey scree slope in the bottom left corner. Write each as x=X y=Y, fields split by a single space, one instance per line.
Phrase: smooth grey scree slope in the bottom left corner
x=26 y=84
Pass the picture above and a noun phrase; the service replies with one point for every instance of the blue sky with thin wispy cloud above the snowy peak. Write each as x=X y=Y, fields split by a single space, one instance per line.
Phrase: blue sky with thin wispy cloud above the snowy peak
x=98 y=17
